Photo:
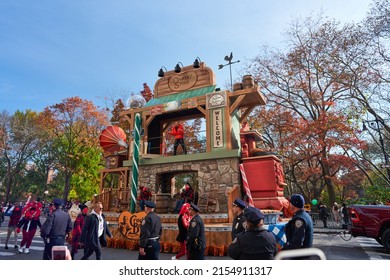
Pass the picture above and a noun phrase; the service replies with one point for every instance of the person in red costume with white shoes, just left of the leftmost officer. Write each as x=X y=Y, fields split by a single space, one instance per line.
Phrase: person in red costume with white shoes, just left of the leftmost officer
x=28 y=224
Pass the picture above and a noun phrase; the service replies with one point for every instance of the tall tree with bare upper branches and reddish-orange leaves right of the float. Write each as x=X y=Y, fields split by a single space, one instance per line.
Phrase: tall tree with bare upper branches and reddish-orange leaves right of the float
x=302 y=85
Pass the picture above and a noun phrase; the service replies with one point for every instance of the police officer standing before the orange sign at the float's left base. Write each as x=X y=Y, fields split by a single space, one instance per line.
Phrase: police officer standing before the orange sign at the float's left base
x=151 y=230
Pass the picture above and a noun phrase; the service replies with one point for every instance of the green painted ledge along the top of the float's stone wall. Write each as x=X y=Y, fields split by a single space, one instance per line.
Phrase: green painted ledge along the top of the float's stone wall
x=183 y=158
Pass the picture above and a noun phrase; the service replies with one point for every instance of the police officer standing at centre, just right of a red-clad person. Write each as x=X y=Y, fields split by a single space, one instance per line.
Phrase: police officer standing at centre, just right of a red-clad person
x=196 y=238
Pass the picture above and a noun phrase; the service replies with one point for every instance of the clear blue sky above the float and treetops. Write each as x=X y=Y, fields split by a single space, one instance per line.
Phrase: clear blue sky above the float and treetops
x=51 y=50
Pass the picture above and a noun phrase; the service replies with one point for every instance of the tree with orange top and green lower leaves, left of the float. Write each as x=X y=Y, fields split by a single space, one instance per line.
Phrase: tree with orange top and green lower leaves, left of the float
x=73 y=128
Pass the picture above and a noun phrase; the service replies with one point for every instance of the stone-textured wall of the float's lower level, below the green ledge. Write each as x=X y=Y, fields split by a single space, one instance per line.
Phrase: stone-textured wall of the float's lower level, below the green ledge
x=215 y=176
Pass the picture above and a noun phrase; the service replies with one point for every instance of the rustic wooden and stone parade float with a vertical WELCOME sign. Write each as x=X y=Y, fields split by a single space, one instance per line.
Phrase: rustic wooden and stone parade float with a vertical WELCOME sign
x=230 y=165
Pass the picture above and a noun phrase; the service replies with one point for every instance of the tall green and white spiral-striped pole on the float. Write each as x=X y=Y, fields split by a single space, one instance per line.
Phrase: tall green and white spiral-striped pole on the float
x=134 y=174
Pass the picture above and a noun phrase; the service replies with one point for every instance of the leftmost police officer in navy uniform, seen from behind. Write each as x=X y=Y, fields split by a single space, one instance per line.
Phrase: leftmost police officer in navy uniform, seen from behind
x=55 y=228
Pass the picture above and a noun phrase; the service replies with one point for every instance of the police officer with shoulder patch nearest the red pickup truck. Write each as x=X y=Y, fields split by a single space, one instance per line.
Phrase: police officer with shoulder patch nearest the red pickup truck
x=299 y=230
